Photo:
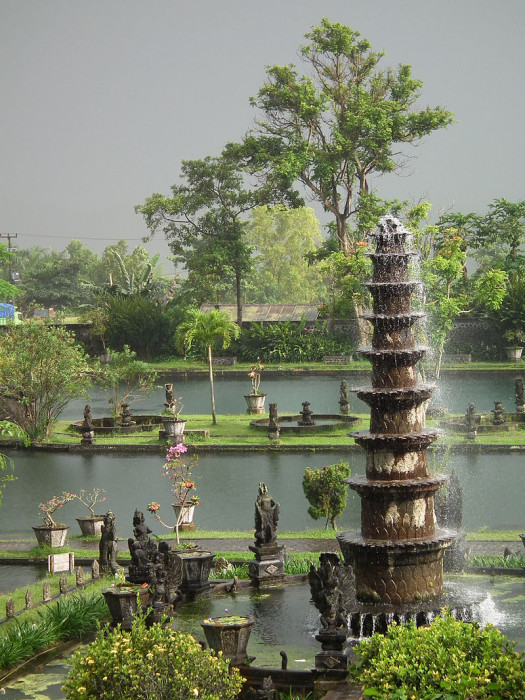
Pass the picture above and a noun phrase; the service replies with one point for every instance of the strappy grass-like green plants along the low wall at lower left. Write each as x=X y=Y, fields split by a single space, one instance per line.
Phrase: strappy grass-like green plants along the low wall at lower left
x=70 y=618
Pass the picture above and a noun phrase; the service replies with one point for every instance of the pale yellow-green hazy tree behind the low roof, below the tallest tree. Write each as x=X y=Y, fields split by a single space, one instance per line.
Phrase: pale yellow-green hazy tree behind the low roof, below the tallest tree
x=282 y=240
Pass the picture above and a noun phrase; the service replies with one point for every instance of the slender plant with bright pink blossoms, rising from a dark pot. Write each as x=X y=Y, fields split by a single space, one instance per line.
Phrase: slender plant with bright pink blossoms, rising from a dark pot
x=178 y=469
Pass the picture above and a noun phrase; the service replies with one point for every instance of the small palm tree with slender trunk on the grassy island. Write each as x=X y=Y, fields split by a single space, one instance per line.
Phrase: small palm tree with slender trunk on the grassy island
x=205 y=330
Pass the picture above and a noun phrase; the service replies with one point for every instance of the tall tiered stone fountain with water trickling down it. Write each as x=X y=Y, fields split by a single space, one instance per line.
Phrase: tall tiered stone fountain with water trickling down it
x=397 y=557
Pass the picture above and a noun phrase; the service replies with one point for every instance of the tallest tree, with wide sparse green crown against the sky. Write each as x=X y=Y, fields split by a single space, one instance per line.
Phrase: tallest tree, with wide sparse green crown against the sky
x=331 y=130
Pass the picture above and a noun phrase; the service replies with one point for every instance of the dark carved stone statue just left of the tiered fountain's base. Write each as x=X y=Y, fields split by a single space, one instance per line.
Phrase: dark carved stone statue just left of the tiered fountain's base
x=328 y=595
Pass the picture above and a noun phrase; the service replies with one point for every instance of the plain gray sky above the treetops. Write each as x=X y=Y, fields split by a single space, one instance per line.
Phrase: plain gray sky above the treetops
x=102 y=99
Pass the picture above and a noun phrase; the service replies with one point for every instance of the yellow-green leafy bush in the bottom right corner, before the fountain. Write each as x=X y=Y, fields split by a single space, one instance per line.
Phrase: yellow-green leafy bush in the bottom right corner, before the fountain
x=448 y=659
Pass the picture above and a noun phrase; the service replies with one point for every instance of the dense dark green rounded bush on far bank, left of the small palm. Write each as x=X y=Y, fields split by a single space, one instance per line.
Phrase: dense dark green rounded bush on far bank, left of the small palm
x=137 y=321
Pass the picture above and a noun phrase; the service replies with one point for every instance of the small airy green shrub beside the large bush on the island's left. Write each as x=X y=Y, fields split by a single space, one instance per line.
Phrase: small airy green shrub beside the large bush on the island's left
x=126 y=377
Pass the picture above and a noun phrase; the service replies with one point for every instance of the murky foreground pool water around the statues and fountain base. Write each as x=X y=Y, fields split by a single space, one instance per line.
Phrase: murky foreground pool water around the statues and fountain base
x=285 y=619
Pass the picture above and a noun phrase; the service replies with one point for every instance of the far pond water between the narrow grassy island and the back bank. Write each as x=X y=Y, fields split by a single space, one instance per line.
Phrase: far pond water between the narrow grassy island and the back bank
x=453 y=391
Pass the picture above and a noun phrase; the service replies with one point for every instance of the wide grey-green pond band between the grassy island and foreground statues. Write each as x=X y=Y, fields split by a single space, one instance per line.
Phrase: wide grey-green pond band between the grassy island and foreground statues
x=227 y=485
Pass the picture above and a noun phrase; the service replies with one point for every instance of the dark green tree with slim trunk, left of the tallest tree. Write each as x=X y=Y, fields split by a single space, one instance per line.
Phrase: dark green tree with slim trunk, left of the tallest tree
x=203 y=220
